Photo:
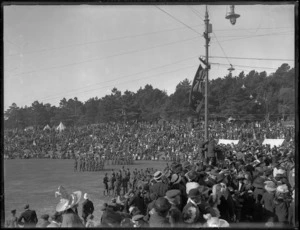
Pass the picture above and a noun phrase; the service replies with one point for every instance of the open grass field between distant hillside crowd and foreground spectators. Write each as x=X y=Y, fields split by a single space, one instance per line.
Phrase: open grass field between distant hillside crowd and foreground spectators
x=34 y=182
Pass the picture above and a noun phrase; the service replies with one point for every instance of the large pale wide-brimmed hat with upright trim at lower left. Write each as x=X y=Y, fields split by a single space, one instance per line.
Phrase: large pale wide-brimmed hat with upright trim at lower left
x=67 y=200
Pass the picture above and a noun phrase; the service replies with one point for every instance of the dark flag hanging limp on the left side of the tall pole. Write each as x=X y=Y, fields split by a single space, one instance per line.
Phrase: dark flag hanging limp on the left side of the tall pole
x=197 y=95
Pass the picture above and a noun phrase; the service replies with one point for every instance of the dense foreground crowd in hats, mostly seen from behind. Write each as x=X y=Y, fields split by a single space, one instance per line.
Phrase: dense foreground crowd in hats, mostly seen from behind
x=244 y=185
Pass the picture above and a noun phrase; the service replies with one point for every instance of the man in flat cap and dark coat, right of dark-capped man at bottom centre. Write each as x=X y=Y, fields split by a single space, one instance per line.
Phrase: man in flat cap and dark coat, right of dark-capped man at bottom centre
x=175 y=215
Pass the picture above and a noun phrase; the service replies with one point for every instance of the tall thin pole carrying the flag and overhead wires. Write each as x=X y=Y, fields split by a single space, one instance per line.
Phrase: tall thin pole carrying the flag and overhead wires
x=206 y=20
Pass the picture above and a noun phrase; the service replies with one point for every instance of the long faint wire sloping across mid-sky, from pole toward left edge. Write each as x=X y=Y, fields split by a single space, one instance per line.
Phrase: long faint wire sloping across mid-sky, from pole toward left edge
x=101 y=58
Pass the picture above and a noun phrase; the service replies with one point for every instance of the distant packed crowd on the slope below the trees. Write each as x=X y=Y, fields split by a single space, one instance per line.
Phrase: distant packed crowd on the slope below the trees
x=113 y=142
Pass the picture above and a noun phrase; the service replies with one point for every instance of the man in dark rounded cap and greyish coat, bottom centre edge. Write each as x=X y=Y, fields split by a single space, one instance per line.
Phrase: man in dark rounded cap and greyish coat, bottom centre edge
x=158 y=218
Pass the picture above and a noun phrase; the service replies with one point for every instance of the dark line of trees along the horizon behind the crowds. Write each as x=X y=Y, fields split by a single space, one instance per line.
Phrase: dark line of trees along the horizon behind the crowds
x=250 y=97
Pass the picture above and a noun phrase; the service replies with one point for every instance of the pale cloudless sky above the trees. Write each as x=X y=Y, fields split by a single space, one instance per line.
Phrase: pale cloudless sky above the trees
x=84 y=51
